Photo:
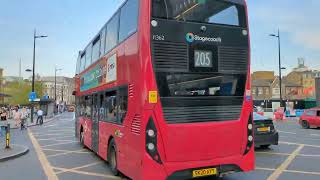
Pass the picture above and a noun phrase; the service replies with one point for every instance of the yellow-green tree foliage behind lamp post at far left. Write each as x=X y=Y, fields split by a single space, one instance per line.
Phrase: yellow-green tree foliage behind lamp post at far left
x=19 y=90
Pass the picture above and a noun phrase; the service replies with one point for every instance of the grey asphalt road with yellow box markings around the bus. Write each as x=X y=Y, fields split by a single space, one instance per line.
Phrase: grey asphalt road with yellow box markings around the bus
x=56 y=153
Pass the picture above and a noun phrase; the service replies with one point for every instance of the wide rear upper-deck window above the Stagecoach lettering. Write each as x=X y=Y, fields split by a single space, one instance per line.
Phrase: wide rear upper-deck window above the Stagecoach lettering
x=201 y=11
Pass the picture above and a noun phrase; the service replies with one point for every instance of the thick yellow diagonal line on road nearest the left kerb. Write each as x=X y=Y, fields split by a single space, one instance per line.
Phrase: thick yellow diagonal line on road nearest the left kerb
x=42 y=158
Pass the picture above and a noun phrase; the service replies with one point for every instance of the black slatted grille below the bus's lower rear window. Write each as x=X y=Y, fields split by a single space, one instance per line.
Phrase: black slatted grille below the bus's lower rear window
x=201 y=114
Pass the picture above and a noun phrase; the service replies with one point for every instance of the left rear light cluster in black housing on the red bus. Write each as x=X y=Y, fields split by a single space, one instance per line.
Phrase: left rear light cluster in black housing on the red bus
x=151 y=141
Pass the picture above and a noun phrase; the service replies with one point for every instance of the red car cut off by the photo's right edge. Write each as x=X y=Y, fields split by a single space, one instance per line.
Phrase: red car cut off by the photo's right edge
x=310 y=118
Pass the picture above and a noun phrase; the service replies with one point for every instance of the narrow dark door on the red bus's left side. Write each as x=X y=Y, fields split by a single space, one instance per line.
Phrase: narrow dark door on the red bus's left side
x=95 y=123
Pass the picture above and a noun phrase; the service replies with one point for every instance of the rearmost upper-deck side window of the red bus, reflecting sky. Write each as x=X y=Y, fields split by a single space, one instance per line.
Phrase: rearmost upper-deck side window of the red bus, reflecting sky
x=128 y=19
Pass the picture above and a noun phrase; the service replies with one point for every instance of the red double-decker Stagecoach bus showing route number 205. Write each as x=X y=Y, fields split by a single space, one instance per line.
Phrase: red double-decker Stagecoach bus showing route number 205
x=163 y=90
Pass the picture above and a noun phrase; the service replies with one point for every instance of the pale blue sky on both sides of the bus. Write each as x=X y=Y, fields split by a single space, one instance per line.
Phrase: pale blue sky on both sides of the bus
x=71 y=24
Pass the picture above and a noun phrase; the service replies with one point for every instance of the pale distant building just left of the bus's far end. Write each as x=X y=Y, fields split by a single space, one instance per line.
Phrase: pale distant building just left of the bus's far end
x=64 y=88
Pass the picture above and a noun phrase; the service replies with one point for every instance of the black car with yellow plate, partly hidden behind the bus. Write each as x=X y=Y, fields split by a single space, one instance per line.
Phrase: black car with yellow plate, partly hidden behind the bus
x=264 y=132
